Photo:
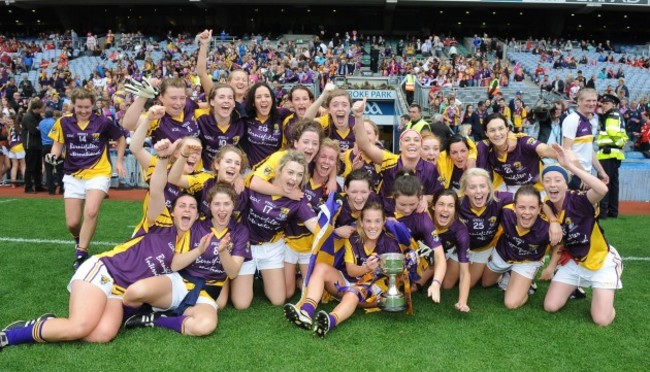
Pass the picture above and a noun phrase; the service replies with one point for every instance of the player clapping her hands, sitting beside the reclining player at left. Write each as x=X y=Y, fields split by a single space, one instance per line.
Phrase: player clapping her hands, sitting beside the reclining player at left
x=187 y=301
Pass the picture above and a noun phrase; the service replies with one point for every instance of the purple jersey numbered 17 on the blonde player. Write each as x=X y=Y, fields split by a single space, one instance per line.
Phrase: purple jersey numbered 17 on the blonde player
x=266 y=216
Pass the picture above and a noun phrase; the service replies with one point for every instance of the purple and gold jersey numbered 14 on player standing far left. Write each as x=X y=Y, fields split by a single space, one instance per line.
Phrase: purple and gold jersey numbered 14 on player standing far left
x=86 y=145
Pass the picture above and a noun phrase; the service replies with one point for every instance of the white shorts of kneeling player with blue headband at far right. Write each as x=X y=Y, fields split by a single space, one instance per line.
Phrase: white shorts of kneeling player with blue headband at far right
x=607 y=277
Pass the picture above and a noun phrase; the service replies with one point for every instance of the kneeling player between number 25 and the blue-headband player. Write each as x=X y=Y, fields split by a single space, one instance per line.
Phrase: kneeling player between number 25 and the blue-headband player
x=521 y=247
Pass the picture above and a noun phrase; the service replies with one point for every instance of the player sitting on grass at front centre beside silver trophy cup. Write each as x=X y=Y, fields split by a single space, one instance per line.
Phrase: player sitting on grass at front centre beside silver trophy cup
x=355 y=285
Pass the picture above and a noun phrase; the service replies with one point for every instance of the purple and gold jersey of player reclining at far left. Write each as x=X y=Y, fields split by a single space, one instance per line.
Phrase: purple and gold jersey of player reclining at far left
x=143 y=256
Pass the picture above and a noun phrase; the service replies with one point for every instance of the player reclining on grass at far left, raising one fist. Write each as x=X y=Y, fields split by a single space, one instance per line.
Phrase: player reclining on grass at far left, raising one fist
x=96 y=289
